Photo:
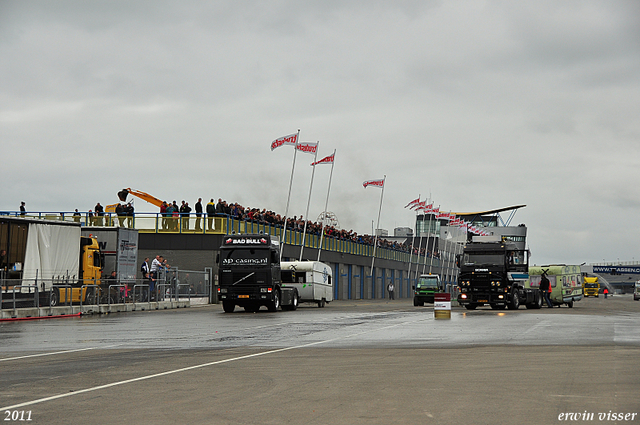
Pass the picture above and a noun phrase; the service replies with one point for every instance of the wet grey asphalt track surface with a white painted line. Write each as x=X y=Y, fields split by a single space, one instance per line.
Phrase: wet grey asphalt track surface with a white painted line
x=350 y=362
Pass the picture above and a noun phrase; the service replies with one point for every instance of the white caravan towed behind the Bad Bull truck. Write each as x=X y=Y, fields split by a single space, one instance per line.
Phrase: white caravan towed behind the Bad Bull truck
x=312 y=279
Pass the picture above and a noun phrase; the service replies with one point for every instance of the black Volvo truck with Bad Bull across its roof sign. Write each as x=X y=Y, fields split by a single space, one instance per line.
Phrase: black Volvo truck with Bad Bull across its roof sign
x=249 y=274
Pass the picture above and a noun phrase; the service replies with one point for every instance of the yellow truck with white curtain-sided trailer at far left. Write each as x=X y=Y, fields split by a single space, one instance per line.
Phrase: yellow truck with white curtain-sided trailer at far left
x=47 y=262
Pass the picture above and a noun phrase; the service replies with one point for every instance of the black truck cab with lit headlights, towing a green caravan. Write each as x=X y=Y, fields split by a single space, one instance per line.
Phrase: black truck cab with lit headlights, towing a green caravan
x=493 y=272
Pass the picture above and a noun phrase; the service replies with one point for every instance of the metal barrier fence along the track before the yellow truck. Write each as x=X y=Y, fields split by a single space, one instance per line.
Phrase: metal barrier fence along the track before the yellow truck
x=170 y=285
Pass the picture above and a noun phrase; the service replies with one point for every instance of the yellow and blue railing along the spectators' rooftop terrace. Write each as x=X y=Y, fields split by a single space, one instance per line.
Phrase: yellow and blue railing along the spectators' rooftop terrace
x=225 y=225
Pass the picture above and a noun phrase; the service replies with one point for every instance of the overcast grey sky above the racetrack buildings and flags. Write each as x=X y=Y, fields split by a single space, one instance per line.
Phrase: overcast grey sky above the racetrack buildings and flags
x=477 y=104
